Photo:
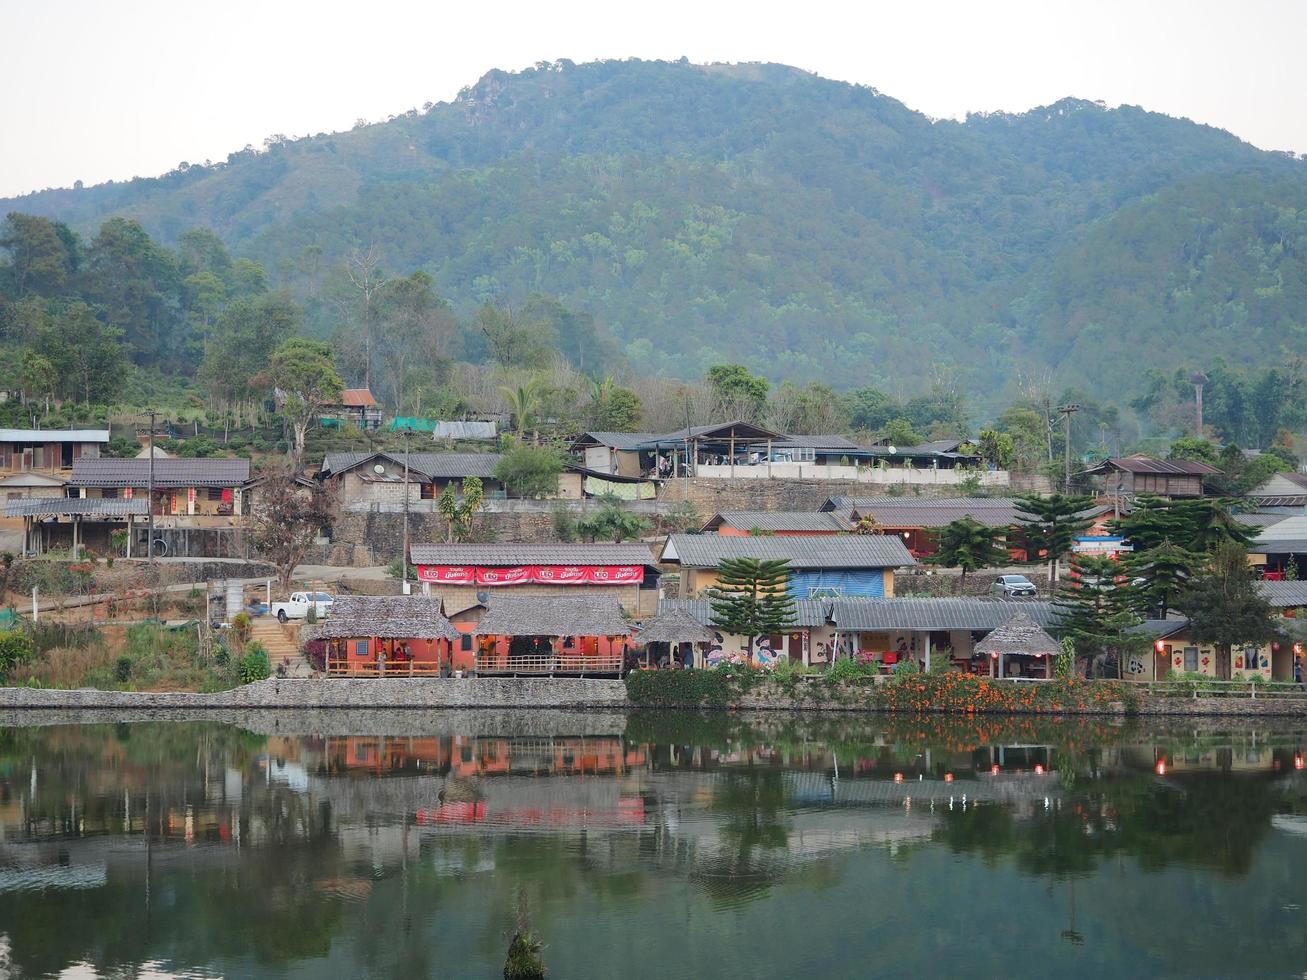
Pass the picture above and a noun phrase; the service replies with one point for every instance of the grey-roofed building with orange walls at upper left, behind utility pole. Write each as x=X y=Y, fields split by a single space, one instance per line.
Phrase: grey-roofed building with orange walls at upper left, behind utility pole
x=193 y=492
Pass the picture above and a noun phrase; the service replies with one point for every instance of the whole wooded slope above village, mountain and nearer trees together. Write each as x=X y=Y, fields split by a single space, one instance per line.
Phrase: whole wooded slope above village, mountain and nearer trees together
x=654 y=220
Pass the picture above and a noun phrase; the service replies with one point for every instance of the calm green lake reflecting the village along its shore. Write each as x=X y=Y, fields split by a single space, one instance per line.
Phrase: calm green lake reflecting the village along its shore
x=659 y=846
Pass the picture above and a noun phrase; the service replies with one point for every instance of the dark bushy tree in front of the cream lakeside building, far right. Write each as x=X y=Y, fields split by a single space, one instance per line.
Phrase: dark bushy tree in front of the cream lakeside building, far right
x=1225 y=607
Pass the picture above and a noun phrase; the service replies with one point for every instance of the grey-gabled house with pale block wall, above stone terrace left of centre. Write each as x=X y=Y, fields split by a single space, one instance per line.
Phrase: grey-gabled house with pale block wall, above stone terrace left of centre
x=368 y=480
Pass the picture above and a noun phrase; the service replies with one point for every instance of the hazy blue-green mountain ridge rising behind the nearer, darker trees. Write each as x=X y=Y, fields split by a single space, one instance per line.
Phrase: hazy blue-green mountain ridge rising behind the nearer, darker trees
x=806 y=228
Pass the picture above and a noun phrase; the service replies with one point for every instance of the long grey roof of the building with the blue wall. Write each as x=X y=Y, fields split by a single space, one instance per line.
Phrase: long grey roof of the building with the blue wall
x=803 y=552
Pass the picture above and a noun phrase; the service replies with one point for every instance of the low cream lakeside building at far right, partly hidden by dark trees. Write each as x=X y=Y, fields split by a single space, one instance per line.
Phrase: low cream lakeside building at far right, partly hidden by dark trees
x=1177 y=653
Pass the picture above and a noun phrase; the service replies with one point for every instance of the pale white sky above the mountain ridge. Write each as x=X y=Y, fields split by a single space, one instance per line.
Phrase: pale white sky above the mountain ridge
x=96 y=90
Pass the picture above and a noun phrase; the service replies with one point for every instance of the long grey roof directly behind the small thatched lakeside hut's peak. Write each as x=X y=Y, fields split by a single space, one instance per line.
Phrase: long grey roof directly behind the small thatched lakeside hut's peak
x=921 y=615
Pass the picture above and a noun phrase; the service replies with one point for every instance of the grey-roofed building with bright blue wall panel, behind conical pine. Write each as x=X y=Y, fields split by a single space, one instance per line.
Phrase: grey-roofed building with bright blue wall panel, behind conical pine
x=845 y=565
